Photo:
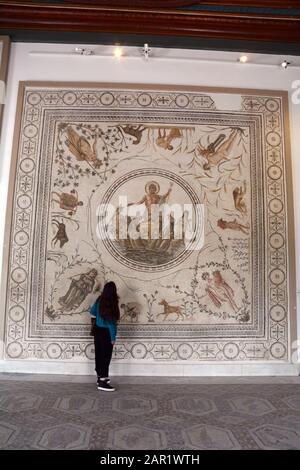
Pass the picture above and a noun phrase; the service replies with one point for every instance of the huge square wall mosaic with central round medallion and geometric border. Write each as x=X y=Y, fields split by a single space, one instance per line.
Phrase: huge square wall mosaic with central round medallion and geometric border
x=79 y=146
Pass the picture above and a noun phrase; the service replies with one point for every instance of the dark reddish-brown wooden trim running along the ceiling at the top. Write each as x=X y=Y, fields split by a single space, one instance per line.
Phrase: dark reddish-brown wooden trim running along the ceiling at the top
x=175 y=23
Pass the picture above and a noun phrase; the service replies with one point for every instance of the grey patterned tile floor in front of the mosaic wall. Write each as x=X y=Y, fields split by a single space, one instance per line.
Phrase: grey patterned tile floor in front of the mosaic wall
x=148 y=413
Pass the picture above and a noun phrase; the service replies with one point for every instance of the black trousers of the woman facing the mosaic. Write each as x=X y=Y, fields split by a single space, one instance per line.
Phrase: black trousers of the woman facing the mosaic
x=103 y=351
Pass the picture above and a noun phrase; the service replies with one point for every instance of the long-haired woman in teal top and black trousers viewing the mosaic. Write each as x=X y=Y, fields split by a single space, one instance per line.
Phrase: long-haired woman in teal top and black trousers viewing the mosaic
x=105 y=315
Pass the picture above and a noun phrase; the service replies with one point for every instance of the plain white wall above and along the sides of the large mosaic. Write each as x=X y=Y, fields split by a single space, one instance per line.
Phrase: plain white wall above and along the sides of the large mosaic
x=166 y=67
